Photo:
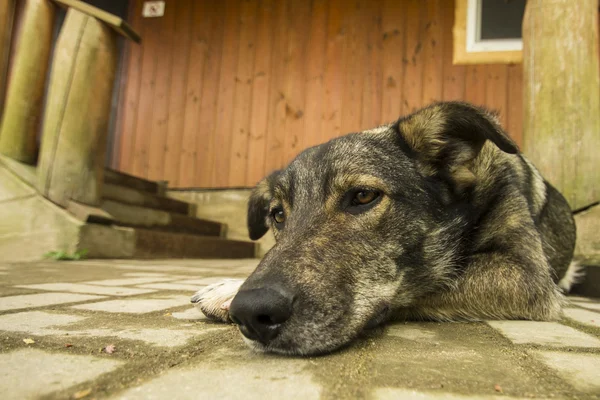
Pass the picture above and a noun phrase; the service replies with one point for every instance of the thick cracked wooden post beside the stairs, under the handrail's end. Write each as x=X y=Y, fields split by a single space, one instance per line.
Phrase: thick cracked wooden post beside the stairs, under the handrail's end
x=78 y=110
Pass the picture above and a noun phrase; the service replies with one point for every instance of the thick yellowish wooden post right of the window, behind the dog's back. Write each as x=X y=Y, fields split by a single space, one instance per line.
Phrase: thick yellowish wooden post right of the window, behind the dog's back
x=562 y=95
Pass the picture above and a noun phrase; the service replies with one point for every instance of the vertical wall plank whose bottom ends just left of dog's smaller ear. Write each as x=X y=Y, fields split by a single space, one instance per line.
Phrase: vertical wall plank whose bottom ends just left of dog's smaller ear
x=242 y=105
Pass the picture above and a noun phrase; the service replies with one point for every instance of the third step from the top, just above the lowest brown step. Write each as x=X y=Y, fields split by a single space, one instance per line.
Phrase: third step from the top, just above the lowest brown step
x=136 y=216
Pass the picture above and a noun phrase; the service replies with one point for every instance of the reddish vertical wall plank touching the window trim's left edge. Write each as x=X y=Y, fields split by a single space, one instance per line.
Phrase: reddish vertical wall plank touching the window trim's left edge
x=454 y=75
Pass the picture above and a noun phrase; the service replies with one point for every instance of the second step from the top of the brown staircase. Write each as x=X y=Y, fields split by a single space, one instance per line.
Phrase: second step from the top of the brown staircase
x=141 y=198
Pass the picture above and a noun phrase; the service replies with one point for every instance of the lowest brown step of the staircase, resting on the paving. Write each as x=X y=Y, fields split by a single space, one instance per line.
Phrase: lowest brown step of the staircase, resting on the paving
x=160 y=244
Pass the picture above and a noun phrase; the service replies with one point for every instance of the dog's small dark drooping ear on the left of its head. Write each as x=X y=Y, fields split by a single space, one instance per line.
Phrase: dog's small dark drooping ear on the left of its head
x=258 y=206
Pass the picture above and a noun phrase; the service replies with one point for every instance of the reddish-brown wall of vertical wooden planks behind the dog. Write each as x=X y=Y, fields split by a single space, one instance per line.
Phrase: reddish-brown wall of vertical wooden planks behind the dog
x=222 y=92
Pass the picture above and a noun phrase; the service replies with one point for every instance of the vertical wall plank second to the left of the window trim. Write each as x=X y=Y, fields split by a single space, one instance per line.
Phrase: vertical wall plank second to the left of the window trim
x=433 y=51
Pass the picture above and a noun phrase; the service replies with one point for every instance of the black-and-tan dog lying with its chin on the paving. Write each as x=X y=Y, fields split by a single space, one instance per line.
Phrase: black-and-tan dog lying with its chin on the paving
x=437 y=216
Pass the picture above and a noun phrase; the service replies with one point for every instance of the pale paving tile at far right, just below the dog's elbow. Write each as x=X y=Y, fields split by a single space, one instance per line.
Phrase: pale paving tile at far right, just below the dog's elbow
x=550 y=334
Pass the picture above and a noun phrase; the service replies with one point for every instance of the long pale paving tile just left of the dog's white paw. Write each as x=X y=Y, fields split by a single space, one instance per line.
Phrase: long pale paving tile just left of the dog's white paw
x=136 y=306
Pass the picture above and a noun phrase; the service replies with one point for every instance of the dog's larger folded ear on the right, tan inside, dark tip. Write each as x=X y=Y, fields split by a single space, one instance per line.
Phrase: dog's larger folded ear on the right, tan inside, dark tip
x=446 y=137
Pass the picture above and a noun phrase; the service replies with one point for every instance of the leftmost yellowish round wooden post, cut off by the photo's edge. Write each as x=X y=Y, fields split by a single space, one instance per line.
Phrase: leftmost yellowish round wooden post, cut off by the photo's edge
x=26 y=87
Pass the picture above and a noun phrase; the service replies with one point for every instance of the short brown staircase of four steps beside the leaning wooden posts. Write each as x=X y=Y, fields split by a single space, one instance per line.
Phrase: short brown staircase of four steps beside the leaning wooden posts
x=163 y=227
